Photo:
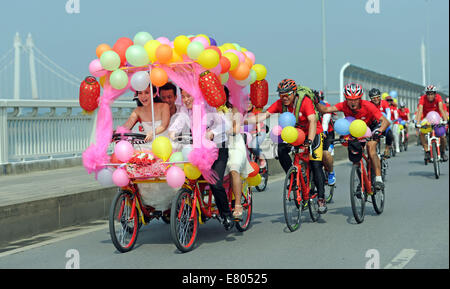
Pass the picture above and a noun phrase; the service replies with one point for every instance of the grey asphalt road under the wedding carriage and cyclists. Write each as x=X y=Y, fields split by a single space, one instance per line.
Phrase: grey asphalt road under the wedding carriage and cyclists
x=412 y=232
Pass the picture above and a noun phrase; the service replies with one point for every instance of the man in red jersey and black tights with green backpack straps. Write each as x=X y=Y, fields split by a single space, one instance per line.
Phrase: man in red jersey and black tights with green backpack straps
x=307 y=121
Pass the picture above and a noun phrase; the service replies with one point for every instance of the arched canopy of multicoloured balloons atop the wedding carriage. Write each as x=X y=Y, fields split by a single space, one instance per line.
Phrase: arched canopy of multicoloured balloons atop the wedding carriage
x=226 y=60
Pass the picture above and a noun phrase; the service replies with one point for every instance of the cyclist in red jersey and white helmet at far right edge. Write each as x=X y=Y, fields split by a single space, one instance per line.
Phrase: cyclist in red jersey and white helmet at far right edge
x=431 y=101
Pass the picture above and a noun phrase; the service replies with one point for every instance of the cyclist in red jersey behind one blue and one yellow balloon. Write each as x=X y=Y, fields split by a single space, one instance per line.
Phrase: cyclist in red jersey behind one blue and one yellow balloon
x=361 y=109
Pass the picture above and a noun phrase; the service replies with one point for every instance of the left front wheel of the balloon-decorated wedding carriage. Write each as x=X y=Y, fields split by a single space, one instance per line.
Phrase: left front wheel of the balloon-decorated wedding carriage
x=123 y=226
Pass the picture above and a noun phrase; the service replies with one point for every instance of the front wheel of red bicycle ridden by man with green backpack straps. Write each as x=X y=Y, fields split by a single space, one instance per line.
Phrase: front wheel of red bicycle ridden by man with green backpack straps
x=292 y=209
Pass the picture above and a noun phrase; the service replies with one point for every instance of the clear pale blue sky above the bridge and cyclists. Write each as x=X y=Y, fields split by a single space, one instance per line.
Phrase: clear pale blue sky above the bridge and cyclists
x=285 y=35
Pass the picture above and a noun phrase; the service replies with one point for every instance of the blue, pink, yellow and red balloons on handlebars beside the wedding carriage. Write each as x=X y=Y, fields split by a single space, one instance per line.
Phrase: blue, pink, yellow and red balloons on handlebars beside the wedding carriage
x=286 y=130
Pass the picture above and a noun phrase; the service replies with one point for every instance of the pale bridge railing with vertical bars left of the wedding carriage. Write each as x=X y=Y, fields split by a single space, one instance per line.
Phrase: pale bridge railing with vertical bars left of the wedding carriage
x=46 y=129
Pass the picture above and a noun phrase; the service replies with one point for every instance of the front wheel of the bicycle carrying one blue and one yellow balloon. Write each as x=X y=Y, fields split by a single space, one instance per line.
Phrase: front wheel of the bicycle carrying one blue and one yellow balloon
x=357 y=197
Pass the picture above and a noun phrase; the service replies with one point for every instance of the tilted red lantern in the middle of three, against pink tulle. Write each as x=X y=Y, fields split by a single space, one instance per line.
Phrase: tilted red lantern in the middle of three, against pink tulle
x=212 y=89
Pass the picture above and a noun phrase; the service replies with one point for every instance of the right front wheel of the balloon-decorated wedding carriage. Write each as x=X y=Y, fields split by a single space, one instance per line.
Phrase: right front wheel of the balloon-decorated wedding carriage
x=183 y=228
